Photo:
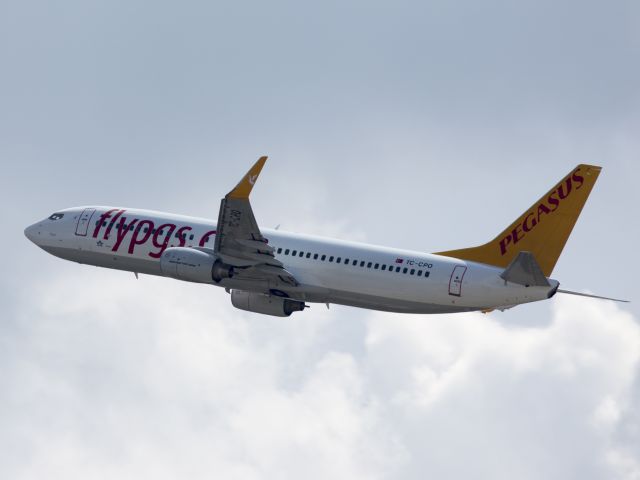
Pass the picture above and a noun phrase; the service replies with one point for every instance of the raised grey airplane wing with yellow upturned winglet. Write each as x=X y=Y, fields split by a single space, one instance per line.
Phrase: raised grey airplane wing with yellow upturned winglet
x=239 y=241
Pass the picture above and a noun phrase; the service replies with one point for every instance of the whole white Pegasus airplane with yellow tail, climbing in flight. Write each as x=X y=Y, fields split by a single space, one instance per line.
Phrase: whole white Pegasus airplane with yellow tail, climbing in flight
x=273 y=272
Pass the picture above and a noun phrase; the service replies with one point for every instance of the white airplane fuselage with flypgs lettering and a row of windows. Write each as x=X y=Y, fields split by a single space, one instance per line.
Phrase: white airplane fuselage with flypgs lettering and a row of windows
x=329 y=271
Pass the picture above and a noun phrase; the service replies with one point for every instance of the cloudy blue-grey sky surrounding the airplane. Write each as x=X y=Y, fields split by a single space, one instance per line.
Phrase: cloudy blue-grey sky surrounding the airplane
x=419 y=125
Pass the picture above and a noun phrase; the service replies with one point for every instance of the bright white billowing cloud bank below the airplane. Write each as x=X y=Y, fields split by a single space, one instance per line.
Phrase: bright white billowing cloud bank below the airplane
x=164 y=379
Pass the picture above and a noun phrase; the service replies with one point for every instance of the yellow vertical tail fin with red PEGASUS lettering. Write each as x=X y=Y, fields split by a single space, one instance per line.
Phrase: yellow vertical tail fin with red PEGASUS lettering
x=543 y=229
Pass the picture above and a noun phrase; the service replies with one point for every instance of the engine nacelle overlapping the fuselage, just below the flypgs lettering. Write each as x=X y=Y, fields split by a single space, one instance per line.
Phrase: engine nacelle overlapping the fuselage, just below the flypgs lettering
x=193 y=265
